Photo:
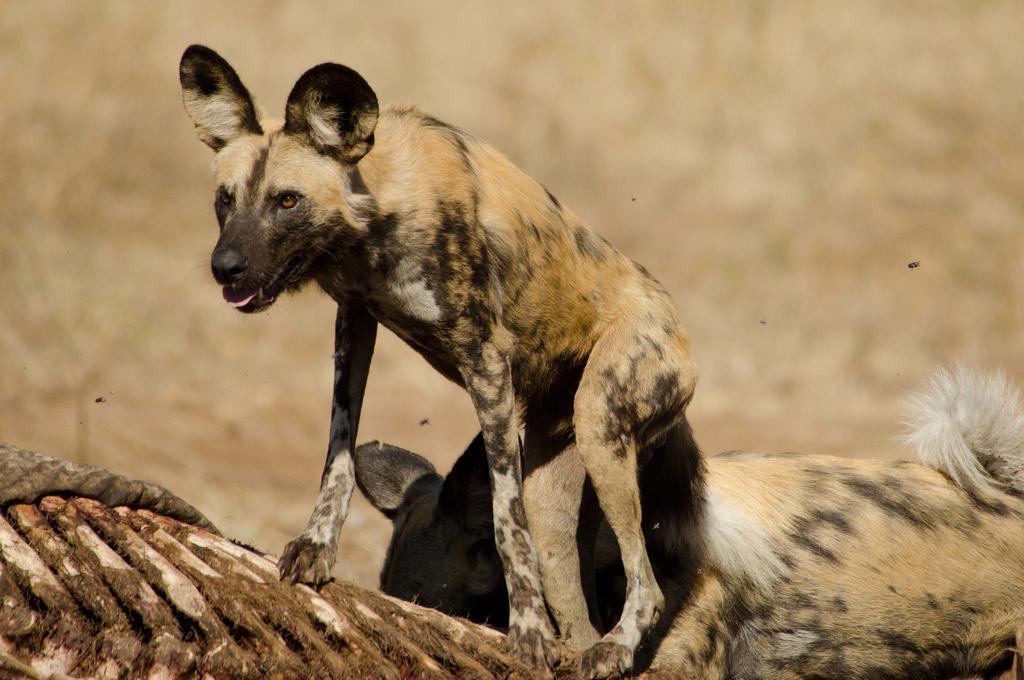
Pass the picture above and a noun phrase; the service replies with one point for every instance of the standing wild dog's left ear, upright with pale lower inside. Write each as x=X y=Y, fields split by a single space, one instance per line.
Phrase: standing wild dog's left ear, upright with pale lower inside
x=216 y=99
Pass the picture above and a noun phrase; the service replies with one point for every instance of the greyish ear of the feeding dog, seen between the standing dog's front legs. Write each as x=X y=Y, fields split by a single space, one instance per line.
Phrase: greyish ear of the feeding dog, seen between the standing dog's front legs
x=391 y=477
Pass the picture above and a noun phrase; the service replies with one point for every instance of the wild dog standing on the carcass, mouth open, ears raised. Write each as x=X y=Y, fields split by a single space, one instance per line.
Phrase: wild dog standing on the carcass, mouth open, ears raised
x=412 y=224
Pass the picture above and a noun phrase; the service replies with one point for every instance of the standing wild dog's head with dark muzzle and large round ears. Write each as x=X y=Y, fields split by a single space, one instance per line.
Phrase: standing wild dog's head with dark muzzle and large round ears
x=281 y=191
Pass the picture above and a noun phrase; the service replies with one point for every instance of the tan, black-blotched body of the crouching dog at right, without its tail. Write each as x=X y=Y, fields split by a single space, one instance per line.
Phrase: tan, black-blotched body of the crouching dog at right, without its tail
x=889 y=570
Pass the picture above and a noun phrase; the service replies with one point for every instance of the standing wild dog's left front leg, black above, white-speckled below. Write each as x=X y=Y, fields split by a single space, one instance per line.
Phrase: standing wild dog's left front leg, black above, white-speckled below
x=310 y=559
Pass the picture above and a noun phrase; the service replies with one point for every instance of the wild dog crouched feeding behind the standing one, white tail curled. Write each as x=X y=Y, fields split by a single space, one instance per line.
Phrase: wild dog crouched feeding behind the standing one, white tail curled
x=814 y=567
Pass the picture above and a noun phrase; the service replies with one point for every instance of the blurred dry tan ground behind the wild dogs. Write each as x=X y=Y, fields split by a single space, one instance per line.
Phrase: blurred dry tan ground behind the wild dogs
x=777 y=165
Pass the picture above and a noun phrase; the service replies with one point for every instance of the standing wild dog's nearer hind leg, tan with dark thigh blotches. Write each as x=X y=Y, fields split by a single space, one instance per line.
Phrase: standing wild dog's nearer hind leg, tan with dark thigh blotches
x=636 y=386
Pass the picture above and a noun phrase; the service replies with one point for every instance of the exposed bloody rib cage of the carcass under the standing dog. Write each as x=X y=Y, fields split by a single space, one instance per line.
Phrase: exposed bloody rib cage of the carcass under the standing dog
x=93 y=591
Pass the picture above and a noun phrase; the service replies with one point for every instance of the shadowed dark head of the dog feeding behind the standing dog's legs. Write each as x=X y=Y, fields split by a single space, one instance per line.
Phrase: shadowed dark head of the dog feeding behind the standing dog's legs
x=443 y=552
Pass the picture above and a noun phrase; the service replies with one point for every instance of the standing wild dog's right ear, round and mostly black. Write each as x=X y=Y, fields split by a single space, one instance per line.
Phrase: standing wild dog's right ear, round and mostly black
x=334 y=110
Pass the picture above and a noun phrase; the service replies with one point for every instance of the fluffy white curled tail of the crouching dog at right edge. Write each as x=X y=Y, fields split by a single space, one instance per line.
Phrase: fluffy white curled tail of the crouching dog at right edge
x=971 y=427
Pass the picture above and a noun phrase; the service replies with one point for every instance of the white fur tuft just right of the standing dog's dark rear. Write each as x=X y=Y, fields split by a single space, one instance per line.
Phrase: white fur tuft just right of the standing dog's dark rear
x=738 y=544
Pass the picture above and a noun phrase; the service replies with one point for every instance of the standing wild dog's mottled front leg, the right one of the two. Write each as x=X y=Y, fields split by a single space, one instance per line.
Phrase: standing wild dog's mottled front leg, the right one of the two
x=490 y=385
